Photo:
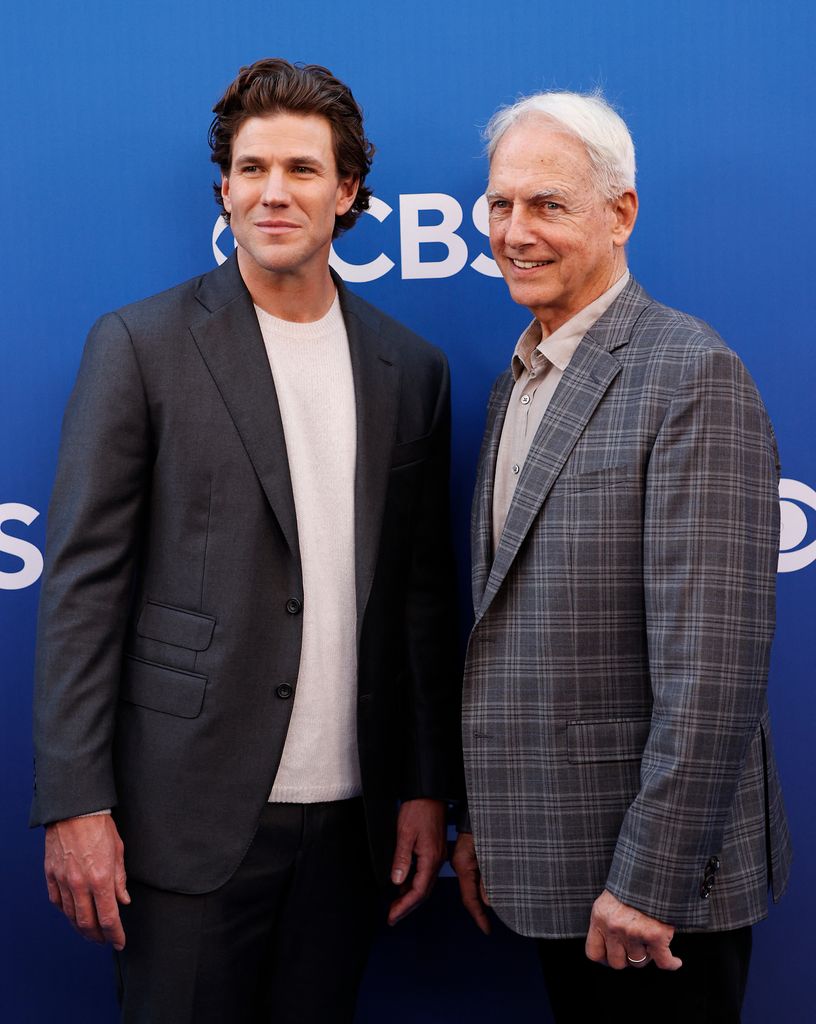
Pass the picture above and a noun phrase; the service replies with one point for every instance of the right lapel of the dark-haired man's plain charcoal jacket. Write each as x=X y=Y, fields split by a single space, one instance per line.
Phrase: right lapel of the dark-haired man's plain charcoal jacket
x=377 y=383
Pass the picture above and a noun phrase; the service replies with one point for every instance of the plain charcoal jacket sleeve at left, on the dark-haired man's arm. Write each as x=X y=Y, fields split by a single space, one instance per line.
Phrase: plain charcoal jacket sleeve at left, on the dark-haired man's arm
x=95 y=524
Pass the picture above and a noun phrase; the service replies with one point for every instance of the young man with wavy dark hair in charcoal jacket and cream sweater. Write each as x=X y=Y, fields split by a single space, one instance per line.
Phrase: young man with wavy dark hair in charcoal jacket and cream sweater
x=245 y=655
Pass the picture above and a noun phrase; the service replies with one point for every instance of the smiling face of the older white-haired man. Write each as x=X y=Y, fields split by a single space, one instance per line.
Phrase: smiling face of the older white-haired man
x=559 y=243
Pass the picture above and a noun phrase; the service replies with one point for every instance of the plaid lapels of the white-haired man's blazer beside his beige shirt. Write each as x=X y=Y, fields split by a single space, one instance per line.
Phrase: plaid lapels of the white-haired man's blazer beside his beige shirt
x=586 y=380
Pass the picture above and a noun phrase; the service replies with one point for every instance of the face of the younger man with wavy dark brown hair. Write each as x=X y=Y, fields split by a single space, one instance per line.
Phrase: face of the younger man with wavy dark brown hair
x=283 y=194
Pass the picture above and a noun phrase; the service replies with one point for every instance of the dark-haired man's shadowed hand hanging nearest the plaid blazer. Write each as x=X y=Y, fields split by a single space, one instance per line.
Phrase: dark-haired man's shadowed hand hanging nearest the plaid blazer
x=420 y=834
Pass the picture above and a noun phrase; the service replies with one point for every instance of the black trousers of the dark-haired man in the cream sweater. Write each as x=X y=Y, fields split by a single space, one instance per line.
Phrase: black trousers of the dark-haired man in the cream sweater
x=285 y=941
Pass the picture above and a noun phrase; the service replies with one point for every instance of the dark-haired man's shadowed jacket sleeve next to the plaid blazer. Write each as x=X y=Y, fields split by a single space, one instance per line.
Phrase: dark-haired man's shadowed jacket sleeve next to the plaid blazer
x=435 y=767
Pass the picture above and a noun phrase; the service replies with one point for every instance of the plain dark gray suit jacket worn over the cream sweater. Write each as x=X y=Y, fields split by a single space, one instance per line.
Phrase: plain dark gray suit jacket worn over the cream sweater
x=170 y=620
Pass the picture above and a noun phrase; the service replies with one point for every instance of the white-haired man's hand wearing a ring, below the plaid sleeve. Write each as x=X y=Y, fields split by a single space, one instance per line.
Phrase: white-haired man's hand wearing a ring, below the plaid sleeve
x=618 y=932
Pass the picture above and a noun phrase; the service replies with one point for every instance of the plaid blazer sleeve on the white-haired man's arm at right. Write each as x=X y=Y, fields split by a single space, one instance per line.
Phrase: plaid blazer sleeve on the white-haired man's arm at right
x=711 y=546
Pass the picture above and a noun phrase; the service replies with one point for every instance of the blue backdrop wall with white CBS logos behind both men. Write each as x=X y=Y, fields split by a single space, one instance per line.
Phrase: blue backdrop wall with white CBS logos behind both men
x=105 y=116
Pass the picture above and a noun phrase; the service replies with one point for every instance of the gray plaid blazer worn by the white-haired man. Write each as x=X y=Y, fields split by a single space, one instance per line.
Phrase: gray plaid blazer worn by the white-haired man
x=616 y=722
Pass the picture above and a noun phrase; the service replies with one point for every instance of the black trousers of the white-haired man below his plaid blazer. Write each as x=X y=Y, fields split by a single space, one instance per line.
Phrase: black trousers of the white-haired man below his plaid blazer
x=708 y=990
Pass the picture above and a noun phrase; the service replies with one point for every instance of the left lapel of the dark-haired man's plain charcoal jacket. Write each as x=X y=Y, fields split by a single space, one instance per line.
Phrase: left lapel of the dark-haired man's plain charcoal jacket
x=231 y=344
